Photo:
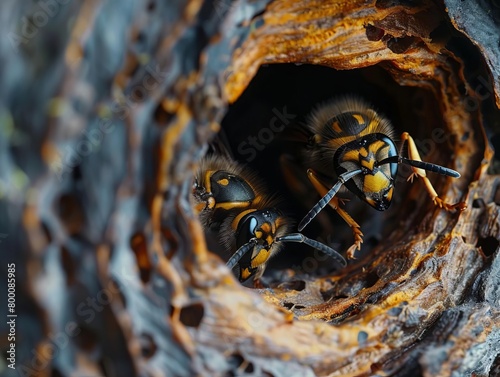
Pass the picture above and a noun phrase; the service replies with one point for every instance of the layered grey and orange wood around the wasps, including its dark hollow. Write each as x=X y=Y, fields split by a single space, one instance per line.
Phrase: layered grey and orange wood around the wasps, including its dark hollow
x=104 y=126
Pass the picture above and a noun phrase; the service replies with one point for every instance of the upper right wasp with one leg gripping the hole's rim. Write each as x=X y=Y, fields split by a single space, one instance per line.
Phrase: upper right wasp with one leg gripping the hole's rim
x=352 y=140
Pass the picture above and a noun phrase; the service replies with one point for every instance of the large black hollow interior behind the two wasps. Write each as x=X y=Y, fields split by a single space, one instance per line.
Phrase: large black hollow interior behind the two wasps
x=258 y=128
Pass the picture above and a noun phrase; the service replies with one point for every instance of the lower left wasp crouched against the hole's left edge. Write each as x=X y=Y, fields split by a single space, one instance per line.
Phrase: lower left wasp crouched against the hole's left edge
x=232 y=201
